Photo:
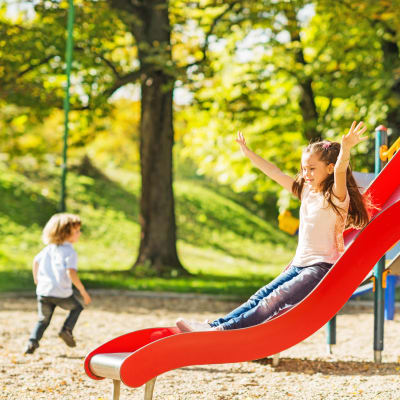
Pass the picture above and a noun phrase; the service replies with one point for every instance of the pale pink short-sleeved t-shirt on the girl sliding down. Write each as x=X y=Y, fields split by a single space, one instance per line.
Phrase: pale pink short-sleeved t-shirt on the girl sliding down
x=321 y=228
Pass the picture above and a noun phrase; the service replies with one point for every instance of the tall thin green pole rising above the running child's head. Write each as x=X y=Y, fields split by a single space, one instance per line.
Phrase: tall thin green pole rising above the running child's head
x=68 y=60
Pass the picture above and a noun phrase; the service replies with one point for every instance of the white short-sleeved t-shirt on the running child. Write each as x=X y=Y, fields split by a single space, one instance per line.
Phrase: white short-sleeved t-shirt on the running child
x=54 y=260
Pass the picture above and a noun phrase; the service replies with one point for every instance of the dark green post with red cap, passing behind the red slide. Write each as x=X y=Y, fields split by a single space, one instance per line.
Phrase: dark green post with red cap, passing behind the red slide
x=379 y=293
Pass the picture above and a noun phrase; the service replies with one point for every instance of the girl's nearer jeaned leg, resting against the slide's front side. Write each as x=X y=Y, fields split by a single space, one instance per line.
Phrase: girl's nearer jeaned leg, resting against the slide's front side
x=287 y=295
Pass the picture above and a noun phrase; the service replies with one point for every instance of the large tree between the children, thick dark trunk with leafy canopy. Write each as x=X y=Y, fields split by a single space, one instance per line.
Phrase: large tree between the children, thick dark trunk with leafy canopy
x=117 y=42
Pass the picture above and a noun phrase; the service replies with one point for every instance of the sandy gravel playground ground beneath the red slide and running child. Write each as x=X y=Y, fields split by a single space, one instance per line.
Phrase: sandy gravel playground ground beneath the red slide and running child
x=305 y=371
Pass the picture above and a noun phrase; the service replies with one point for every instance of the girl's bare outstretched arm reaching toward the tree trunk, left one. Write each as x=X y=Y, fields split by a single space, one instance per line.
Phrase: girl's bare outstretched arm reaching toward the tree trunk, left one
x=269 y=169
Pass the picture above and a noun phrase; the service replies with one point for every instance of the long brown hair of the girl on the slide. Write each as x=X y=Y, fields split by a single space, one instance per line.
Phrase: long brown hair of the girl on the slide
x=328 y=152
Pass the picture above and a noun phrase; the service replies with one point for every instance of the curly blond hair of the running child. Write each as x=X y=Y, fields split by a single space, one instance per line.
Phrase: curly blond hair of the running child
x=59 y=228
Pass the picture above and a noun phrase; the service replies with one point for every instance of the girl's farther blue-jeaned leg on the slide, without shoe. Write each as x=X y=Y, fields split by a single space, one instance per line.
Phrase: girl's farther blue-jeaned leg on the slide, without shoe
x=262 y=293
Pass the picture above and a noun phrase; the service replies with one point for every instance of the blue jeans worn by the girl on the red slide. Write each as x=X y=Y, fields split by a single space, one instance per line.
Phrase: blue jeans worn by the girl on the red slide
x=288 y=289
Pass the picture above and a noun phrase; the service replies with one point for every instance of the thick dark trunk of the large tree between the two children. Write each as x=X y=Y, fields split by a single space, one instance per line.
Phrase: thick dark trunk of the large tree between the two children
x=149 y=23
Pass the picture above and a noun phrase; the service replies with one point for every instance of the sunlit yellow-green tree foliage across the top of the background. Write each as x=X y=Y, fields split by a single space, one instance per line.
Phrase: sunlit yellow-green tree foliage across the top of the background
x=250 y=79
